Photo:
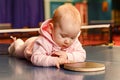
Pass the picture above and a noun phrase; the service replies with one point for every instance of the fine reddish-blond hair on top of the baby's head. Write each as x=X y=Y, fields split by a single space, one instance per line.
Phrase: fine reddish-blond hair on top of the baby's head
x=65 y=10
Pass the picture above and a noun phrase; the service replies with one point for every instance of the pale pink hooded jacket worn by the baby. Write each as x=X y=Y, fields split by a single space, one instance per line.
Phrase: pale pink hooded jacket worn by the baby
x=42 y=47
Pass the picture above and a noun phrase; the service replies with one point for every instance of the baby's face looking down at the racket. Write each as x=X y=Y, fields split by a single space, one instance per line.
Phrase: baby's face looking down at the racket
x=65 y=34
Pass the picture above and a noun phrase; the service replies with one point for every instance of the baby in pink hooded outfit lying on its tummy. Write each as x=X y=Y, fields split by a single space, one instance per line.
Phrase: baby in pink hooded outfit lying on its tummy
x=57 y=43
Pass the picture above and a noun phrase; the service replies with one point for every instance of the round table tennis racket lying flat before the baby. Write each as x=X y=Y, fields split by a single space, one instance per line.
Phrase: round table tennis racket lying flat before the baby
x=84 y=66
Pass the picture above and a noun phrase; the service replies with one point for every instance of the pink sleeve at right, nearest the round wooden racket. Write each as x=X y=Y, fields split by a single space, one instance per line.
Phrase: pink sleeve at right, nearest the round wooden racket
x=77 y=54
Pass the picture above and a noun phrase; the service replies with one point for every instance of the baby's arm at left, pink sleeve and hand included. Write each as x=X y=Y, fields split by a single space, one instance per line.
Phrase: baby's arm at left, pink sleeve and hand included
x=40 y=57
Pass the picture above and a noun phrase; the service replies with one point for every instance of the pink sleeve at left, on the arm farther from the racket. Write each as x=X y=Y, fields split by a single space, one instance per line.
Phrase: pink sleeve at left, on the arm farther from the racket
x=40 y=57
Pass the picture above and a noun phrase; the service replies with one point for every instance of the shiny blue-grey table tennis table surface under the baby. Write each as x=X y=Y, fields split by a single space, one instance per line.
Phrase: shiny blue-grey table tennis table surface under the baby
x=12 y=68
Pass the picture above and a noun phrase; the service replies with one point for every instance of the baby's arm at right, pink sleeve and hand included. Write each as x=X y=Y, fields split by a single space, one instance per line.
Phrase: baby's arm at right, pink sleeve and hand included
x=75 y=54
